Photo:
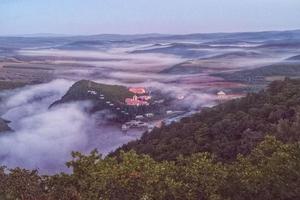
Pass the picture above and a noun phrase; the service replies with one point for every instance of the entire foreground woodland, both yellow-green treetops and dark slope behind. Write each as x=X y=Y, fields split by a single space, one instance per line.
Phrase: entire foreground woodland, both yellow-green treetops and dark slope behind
x=244 y=149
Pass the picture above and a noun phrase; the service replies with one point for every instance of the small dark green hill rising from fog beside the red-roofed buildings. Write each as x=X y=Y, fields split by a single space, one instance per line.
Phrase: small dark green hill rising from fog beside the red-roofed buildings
x=105 y=97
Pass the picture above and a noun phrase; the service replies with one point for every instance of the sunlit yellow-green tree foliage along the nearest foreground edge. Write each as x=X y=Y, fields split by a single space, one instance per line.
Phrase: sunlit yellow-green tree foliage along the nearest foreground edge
x=270 y=171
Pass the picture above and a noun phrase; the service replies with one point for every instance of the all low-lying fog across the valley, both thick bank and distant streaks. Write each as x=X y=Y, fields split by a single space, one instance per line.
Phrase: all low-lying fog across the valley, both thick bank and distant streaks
x=44 y=138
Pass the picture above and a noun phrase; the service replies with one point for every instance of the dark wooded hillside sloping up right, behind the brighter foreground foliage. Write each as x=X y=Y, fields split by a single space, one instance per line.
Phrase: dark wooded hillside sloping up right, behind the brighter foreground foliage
x=230 y=128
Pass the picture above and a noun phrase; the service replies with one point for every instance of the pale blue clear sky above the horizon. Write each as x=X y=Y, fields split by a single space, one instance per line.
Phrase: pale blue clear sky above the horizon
x=86 y=17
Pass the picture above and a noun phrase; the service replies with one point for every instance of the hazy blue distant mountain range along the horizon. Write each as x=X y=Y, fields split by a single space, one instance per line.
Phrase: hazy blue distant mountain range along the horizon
x=56 y=40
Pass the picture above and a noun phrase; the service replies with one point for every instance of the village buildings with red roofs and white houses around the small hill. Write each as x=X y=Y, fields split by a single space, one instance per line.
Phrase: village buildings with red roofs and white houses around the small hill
x=142 y=98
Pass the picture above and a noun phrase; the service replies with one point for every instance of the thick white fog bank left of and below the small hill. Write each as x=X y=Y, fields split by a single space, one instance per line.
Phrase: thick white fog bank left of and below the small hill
x=44 y=138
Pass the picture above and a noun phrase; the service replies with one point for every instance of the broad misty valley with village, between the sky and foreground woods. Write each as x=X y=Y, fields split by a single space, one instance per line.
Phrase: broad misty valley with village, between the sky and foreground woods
x=81 y=92
